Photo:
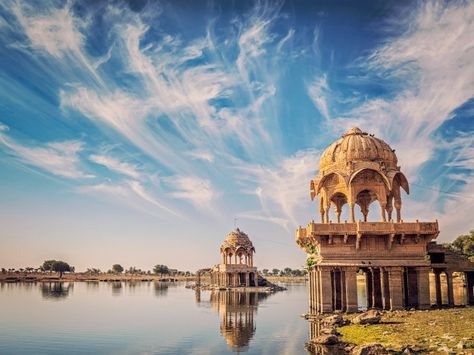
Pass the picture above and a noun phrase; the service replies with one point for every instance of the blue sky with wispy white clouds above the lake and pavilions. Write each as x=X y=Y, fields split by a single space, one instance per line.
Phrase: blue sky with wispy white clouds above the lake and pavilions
x=143 y=132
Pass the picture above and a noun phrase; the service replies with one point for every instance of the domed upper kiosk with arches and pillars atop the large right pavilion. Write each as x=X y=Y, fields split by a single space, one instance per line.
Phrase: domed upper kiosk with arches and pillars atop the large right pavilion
x=359 y=169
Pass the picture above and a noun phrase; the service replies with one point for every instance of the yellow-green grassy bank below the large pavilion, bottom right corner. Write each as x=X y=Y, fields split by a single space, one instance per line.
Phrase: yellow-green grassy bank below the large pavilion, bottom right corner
x=433 y=331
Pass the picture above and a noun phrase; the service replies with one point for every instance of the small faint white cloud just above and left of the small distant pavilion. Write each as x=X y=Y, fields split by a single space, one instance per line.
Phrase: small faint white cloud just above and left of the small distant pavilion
x=194 y=190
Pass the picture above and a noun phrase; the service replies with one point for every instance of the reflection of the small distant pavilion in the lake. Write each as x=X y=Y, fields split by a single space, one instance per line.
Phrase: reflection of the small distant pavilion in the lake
x=237 y=312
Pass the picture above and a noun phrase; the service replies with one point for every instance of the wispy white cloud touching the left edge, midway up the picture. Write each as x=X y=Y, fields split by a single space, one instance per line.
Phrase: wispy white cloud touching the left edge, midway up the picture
x=58 y=158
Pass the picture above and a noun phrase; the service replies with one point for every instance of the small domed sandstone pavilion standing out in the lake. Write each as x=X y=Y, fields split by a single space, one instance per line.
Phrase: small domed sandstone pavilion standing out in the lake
x=236 y=268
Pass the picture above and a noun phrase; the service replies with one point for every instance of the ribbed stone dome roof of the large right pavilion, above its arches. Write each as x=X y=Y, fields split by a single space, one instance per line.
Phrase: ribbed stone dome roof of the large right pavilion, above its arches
x=355 y=146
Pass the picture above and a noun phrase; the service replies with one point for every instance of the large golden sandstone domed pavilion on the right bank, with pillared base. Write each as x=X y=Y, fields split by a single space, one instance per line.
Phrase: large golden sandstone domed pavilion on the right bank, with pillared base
x=397 y=259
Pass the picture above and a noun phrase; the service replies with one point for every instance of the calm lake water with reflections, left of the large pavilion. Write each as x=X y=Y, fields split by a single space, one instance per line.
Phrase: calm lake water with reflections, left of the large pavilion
x=149 y=318
